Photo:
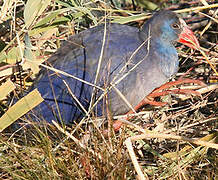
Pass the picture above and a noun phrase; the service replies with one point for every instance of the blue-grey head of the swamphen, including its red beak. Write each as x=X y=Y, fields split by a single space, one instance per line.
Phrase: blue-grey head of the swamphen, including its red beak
x=167 y=27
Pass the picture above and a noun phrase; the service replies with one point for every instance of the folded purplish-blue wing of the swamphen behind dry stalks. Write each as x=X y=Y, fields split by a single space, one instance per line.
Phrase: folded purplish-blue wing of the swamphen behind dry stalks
x=79 y=56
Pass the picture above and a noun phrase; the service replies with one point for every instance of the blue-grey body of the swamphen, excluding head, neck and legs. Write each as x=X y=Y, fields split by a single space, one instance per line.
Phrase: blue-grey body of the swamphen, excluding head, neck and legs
x=124 y=59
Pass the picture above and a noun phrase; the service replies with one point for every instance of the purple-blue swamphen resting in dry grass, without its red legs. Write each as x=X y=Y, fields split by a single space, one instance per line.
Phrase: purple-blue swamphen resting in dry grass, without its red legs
x=130 y=63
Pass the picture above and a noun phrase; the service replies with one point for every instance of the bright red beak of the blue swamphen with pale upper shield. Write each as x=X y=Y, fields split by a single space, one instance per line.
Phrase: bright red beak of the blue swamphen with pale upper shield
x=187 y=37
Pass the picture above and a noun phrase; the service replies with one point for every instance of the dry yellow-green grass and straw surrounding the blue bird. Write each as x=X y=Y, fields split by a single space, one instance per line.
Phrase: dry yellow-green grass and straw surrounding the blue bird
x=51 y=152
